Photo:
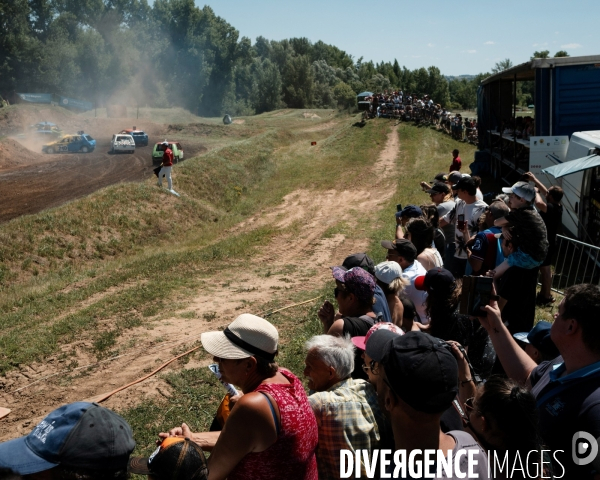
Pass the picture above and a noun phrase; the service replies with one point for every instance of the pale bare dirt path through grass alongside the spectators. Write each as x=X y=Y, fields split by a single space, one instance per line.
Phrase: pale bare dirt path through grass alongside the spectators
x=34 y=390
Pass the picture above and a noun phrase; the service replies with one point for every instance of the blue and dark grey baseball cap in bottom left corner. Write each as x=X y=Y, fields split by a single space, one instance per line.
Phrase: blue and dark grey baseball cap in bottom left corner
x=79 y=435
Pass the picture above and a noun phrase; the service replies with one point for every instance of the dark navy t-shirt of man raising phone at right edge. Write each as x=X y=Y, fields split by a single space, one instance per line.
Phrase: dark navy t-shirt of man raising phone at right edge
x=574 y=408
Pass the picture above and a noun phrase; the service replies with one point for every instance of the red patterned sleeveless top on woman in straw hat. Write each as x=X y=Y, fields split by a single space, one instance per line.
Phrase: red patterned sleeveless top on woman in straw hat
x=292 y=456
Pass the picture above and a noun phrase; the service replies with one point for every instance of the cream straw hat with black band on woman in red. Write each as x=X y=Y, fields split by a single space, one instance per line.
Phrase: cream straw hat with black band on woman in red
x=247 y=336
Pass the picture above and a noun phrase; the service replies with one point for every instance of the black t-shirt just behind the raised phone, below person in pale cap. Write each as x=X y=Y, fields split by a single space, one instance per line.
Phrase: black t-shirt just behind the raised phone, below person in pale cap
x=518 y=287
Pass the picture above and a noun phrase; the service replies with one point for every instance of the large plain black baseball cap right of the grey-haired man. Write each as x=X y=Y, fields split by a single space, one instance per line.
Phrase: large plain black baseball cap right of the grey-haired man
x=421 y=370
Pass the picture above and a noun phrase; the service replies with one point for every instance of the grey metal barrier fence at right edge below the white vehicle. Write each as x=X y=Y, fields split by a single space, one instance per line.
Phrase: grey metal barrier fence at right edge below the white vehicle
x=576 y=262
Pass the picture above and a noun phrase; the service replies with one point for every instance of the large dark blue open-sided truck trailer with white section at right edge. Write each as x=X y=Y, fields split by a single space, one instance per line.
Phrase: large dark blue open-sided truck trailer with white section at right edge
x=564 y=126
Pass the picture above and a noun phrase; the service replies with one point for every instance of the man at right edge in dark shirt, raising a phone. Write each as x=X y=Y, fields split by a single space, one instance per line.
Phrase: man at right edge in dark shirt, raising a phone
x=567 y=389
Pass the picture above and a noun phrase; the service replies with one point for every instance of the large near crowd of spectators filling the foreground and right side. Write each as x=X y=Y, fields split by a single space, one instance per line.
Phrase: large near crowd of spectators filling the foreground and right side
x=398 y=365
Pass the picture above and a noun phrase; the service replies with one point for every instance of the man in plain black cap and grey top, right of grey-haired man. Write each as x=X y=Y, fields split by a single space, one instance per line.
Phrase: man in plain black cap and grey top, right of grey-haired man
x=417 y=383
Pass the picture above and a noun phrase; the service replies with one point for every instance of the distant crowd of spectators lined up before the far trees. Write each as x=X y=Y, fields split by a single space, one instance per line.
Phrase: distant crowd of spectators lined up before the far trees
x=422 y=110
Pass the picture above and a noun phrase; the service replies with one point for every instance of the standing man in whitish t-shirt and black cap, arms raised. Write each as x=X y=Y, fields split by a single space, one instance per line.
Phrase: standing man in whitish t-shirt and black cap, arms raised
x=465 y=217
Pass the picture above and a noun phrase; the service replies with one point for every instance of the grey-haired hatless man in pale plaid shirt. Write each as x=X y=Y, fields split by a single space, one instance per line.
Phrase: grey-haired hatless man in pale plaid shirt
x=347 y=412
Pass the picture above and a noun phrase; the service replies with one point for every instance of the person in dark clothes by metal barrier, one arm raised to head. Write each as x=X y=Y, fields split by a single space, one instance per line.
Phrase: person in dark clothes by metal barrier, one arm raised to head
x=547 y=201
